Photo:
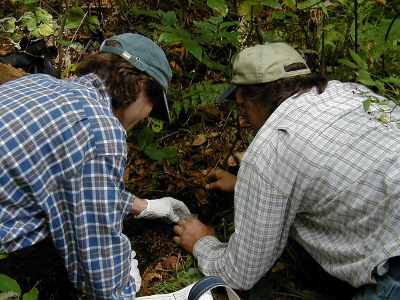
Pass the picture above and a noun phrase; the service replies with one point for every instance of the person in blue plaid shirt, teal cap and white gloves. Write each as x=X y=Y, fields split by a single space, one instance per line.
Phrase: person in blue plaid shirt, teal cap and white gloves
x=63 y=152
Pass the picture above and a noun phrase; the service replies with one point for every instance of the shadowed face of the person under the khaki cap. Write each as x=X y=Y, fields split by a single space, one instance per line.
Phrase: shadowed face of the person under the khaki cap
x=255 y=113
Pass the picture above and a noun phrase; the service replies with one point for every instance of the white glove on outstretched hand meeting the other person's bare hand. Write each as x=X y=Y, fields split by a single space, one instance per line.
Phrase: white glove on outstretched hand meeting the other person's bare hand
x=166 y=207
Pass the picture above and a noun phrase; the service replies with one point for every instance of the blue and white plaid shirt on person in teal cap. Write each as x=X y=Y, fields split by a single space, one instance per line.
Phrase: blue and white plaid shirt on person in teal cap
x=62 y=154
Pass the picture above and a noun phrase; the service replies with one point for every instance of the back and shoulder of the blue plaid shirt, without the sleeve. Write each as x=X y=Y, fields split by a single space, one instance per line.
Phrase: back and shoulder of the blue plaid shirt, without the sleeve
x=46 y=135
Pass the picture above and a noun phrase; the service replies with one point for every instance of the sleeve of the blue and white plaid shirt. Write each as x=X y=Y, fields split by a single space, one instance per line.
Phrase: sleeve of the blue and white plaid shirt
x=86 y=226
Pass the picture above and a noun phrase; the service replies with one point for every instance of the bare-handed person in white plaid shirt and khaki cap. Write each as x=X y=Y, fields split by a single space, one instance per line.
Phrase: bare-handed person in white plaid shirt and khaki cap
x=319 y=169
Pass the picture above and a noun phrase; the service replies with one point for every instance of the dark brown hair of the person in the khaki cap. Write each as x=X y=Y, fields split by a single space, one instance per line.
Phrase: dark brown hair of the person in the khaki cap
x=272 y=94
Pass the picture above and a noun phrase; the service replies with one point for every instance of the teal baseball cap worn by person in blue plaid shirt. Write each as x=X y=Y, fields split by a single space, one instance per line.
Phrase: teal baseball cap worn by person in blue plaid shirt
x=148 y=57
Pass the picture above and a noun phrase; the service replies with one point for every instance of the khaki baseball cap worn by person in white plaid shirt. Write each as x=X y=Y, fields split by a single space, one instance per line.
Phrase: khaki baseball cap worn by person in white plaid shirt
x=262 y=64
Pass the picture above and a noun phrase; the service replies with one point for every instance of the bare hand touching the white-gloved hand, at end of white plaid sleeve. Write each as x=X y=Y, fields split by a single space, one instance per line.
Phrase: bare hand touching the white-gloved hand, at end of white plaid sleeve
x=189 y=231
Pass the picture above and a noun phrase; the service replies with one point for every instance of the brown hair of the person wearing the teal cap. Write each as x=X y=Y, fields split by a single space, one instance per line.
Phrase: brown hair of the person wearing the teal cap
x=122 y=78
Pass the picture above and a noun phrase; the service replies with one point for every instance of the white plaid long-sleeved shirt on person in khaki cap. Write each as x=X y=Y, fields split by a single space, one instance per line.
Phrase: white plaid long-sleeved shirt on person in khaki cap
x=327 y=173
